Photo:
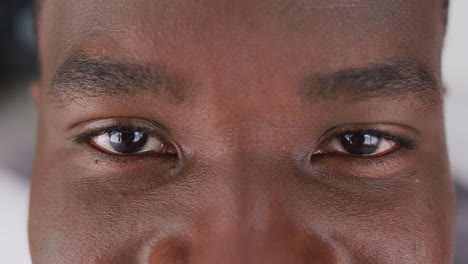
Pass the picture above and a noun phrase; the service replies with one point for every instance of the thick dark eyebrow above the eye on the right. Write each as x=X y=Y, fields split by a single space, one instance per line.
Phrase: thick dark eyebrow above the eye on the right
x=400 y=79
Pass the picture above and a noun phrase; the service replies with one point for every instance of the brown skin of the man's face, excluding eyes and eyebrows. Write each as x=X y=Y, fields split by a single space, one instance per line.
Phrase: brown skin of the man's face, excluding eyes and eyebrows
x=245 y=184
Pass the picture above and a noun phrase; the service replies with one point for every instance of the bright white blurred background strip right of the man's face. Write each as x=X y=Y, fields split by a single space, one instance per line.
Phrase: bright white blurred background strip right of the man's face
x=455 y=73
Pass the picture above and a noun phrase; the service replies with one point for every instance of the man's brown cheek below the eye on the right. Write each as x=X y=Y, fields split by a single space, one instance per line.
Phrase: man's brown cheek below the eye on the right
x=405 y=221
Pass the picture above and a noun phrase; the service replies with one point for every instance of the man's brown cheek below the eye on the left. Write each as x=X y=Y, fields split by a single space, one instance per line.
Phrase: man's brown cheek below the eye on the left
x=87 y=215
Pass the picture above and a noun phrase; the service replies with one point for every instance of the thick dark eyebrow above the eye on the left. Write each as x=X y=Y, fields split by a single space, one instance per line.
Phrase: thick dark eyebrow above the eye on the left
x=82 y=76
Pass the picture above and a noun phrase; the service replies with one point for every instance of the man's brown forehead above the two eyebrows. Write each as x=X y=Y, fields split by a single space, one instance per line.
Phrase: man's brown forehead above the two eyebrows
x=242 y=34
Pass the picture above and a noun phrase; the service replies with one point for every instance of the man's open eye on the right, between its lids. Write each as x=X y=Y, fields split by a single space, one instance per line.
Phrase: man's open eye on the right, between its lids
x=360 y=143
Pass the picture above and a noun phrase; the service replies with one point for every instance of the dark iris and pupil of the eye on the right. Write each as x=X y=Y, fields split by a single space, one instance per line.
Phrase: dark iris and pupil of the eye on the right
x=360 y=143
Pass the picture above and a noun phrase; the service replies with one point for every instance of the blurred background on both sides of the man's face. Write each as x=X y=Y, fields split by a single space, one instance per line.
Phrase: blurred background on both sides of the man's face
x=18 y=68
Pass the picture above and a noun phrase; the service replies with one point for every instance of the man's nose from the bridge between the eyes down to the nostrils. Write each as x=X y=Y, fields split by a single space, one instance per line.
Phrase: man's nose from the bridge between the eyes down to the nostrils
x=249 y=217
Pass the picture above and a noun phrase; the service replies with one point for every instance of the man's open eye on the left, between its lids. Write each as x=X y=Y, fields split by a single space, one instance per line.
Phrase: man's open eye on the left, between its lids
x=128 y=141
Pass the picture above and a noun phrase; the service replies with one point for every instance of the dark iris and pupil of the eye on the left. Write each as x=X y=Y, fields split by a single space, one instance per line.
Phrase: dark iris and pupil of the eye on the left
x=127 y=142
